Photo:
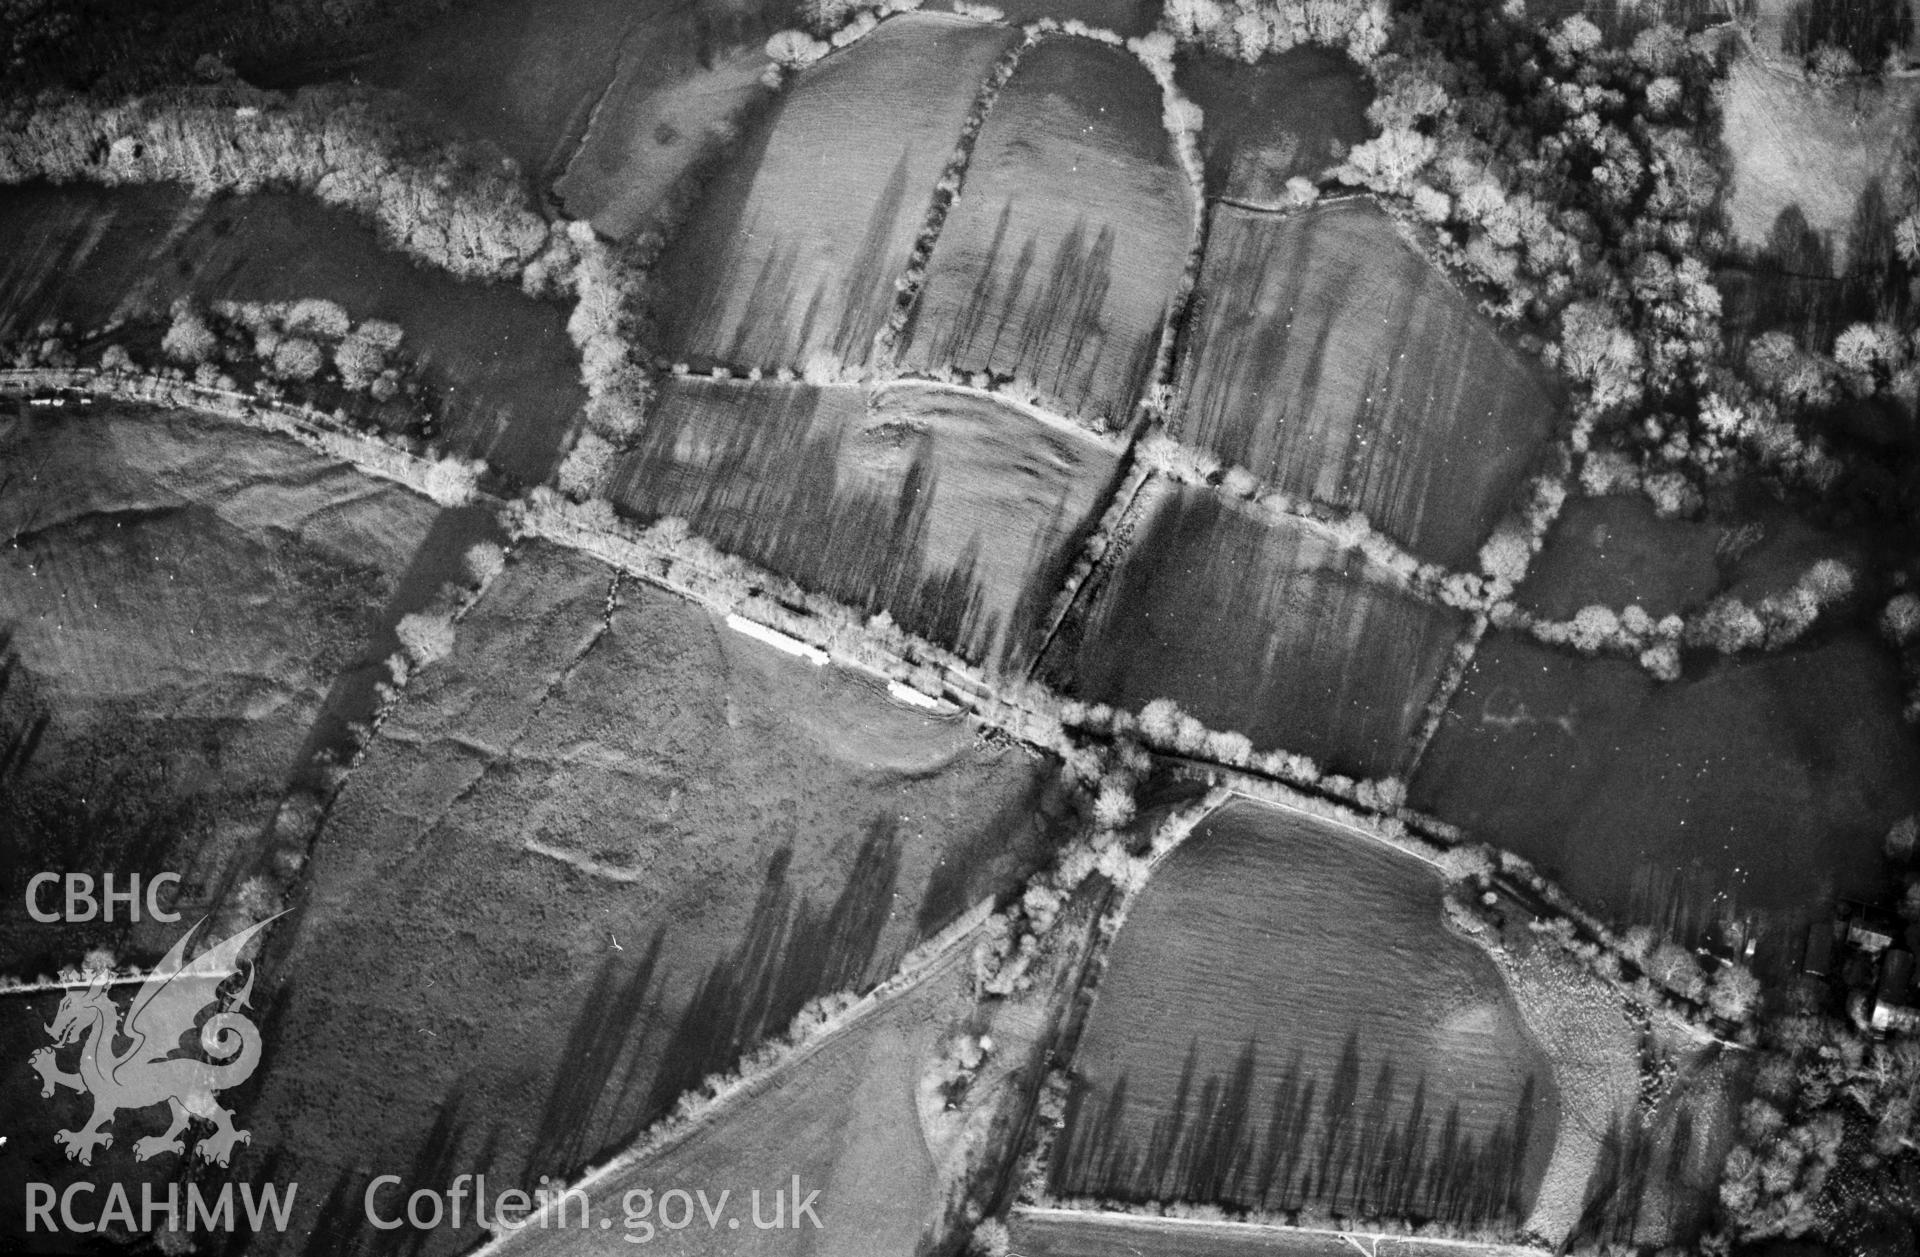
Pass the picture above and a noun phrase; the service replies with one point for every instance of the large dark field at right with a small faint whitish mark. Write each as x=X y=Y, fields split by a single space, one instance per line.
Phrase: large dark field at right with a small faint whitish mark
x=1748 y=790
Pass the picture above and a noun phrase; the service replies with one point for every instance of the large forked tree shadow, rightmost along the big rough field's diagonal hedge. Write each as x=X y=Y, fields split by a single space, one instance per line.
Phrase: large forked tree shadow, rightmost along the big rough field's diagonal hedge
x=794 y=953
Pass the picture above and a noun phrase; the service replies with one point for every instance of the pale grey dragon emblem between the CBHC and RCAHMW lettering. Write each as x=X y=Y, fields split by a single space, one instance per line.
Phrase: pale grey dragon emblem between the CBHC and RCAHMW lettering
x=151 y=1072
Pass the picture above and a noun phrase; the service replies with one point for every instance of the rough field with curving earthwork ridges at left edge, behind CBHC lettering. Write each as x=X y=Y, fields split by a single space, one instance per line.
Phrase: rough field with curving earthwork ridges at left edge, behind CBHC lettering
x=180 y=604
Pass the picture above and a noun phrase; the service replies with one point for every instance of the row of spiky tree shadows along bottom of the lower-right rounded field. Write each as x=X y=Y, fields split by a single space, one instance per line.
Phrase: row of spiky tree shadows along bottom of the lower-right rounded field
x=1333 y=1141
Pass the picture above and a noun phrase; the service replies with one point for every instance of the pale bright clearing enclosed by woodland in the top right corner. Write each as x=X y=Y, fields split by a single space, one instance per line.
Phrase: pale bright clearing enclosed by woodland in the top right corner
x=1819 y=153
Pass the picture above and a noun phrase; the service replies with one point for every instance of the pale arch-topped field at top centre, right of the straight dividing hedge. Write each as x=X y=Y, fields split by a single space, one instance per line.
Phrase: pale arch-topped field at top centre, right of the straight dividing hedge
x=1068 y=243
